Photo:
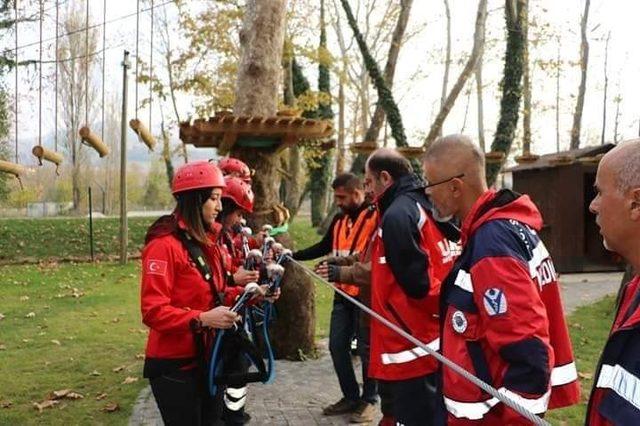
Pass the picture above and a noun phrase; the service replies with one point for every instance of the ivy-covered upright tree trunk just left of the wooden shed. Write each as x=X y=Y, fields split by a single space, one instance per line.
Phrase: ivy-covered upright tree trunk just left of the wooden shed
x=511 y=84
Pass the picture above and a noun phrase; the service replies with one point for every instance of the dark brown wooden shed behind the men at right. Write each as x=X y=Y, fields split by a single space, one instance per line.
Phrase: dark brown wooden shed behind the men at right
x=561 y=185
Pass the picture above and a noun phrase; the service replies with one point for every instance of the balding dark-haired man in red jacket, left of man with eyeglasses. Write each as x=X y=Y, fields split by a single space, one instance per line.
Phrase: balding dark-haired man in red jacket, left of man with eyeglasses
x=411 y=254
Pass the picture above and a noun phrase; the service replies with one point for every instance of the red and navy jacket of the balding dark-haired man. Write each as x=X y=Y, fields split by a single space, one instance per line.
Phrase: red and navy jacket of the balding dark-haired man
x=410 y=258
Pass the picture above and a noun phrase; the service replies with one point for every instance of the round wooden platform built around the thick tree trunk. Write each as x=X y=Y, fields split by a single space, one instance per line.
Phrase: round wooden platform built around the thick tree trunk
x=224 y=130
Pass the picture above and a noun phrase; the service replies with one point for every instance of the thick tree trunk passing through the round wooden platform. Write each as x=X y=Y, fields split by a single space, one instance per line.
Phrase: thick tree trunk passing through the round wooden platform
x=262 y=39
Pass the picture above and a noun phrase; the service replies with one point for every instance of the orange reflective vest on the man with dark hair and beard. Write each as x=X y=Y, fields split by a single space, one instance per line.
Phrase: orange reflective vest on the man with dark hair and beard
x=351 y=237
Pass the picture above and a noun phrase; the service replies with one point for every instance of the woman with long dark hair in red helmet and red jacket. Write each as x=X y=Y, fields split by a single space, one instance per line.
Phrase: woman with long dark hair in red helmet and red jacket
x=182 y=298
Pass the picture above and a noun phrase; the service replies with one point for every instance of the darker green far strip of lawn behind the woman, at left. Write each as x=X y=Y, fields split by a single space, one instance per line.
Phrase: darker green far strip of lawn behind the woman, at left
x=33 y=240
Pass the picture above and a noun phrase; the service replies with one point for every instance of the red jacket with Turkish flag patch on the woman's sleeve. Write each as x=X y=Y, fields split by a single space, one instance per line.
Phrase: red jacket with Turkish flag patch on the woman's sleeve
x=173 y=292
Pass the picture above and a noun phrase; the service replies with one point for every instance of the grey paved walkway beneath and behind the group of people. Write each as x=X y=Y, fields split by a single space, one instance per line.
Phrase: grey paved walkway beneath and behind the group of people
x=301 y=389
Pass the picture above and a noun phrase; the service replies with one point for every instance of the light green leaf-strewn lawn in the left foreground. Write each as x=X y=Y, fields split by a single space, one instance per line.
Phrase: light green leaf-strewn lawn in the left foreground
x=70 y=326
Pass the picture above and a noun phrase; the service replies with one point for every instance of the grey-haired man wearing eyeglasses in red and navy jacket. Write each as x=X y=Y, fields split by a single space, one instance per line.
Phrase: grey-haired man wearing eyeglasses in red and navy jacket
x=501 y=317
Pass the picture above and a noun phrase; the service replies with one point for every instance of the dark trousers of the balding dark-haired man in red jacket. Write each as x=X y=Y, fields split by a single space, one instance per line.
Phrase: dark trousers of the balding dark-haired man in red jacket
x=415 y=401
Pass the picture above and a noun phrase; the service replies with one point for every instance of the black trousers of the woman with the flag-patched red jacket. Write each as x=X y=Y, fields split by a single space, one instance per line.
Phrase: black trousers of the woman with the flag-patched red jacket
x=183 y=400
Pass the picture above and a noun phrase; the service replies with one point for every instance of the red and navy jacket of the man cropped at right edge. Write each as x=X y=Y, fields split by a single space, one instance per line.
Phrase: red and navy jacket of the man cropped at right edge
x=615 y=399
